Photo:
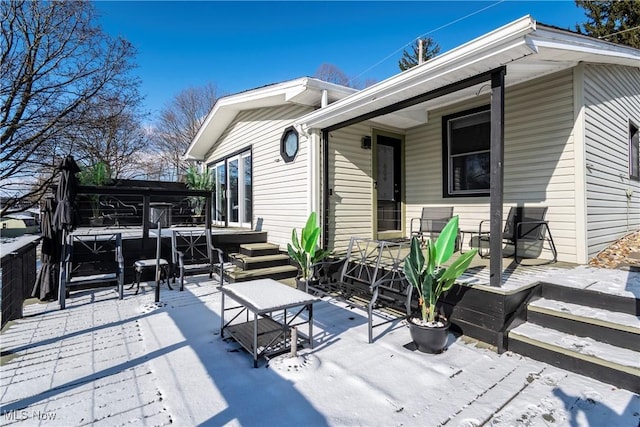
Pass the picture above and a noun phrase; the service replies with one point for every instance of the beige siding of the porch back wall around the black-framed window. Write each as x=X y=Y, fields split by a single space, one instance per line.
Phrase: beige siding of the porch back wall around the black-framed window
x=539 y=159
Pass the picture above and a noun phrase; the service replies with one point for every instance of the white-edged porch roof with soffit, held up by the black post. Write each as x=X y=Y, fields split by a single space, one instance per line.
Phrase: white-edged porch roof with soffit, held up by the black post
x=528 y=50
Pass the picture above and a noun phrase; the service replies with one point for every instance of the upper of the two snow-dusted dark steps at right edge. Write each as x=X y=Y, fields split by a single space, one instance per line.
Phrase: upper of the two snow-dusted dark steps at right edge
x=611 y=327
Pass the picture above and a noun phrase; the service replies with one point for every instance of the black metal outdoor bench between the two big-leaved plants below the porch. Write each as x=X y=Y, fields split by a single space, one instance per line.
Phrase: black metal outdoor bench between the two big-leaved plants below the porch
x=370 y=275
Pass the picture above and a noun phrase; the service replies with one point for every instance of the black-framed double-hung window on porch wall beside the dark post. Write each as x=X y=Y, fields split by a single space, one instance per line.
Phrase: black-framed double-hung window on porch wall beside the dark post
x=466 y=149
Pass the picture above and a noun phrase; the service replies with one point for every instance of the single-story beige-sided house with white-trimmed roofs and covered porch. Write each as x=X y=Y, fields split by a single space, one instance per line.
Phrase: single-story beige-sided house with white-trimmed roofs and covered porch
x=526 y=115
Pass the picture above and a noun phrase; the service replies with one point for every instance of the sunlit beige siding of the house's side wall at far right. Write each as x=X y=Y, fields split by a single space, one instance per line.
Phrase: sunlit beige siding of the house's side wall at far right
x=612 y=98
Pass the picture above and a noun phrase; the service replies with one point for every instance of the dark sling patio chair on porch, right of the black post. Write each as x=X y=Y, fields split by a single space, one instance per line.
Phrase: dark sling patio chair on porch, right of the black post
x=524 y=235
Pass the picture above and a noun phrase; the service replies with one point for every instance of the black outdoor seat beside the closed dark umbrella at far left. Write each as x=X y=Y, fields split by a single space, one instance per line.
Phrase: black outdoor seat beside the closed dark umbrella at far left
x=91 y=259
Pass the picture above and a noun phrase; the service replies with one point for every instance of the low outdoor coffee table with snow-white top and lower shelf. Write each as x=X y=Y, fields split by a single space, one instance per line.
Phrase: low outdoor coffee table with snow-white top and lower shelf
x=271 y=309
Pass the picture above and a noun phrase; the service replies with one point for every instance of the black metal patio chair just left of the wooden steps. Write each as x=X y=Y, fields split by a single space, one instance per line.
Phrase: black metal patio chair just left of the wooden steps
x=193 y=252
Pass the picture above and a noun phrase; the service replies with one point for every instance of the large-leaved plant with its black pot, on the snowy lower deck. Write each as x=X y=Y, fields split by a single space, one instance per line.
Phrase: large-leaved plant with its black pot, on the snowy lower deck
x=426 y=273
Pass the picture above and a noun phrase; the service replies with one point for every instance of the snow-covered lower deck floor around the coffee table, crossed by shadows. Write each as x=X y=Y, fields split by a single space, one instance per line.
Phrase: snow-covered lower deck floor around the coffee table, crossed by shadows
x=108 y=362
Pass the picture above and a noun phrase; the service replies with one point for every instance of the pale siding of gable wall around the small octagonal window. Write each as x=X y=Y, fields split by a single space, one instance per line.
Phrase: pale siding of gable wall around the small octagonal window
x=280 y=190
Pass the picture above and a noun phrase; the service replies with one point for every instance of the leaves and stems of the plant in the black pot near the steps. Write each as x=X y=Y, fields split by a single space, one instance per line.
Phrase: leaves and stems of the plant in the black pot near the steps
x=425 y=270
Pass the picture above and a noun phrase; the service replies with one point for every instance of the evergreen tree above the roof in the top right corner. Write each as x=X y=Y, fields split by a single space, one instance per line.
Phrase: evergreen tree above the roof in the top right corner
x=617 y=21
